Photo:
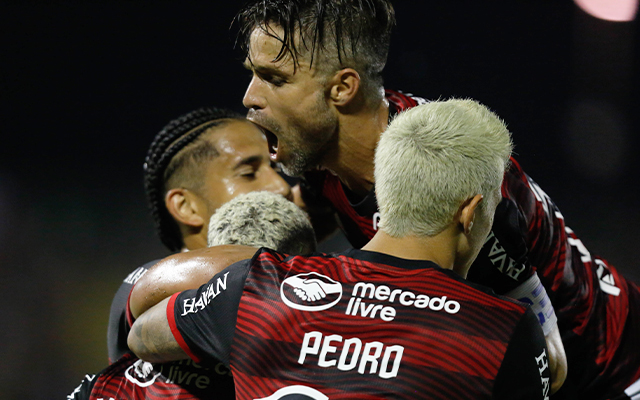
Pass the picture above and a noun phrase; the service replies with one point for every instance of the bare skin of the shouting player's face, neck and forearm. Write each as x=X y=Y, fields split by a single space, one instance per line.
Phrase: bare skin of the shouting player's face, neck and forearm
x=322 y=121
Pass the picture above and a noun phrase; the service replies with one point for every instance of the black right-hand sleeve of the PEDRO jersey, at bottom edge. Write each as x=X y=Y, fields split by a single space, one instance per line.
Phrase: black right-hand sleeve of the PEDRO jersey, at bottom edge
x=524 y=373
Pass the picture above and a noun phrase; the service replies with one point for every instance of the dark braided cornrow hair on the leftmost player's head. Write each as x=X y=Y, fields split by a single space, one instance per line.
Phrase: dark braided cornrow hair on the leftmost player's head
x=167 y=143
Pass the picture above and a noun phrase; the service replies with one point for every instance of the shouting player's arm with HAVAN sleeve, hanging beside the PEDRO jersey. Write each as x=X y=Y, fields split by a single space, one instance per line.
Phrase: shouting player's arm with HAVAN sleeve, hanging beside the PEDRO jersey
x=523 y=235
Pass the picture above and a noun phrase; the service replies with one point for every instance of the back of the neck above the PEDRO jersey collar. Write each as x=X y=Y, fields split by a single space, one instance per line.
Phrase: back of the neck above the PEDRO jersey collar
x=441 y=249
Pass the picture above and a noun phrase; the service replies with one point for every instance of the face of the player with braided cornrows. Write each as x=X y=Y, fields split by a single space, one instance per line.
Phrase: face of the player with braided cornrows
x=243 y=165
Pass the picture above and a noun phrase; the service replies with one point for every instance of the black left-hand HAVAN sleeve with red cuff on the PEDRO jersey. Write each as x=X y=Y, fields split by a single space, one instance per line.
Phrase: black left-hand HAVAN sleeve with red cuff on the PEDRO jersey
x=203 y=320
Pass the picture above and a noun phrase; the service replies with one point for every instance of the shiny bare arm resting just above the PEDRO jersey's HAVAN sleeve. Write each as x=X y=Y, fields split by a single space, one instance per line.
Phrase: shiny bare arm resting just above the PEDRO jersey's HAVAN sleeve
x=181 y=272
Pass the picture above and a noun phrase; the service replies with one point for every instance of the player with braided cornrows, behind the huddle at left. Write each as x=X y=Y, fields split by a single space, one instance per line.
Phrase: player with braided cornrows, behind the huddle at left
x=195 y=164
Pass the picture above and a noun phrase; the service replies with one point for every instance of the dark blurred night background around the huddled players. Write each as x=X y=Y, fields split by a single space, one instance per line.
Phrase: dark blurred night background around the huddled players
x=86 y=85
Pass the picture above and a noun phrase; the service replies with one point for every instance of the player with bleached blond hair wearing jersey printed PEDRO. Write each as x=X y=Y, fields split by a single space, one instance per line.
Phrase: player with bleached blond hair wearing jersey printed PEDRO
x=394 y=320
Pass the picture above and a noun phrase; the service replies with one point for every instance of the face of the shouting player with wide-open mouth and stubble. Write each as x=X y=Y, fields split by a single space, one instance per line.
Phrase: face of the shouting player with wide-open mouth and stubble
x=289 y=103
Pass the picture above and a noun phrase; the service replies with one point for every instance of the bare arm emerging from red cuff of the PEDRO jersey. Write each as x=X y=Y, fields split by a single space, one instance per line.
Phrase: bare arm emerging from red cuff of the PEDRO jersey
x=151 y=339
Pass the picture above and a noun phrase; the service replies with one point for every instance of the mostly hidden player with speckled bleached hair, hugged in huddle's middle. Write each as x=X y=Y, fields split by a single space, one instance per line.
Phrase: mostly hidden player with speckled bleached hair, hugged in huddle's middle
x=252 y=219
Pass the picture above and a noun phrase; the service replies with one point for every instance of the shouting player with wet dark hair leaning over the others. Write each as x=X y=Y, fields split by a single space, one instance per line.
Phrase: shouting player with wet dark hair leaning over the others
x=317 y=91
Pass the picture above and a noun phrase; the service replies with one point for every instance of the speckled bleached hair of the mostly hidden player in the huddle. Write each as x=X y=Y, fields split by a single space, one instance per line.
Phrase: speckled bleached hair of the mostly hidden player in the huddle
x=262 y=219
